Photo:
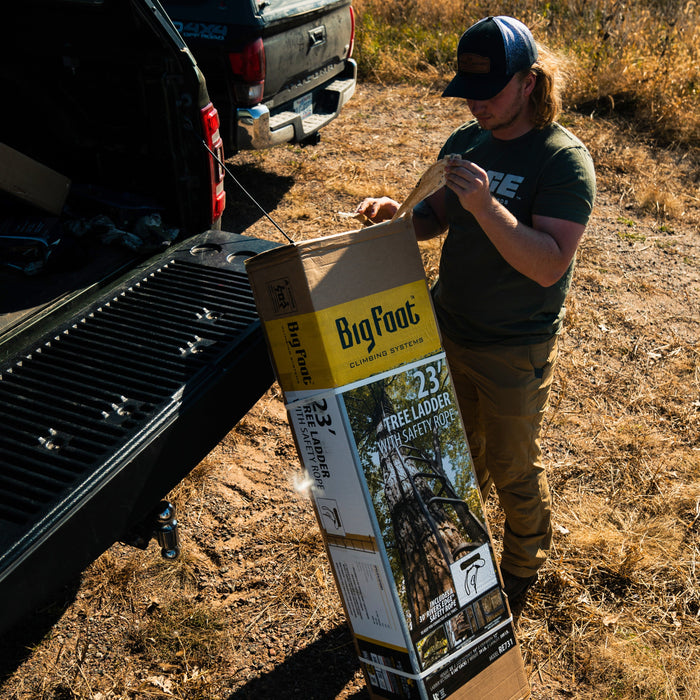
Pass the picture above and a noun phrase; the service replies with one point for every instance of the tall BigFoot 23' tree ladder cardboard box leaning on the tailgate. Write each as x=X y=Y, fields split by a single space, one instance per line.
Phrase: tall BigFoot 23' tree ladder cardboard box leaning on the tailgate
x=356 y=349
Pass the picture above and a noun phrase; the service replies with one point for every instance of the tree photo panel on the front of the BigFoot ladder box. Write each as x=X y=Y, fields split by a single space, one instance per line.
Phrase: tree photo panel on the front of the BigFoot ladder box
x=418 y=470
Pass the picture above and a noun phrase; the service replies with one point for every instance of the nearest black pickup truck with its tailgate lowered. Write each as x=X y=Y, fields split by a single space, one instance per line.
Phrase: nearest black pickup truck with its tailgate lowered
x=129 y=339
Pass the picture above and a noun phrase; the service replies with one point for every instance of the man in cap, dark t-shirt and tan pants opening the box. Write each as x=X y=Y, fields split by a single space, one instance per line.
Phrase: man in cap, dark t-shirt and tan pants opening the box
x=516 y=202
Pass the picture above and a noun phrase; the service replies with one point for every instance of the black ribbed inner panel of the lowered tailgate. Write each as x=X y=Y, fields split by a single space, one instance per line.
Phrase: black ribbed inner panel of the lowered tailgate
x=71 y=404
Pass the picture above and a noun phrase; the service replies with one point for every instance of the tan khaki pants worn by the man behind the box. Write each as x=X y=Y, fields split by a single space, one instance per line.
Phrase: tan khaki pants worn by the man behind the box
x=502 y=393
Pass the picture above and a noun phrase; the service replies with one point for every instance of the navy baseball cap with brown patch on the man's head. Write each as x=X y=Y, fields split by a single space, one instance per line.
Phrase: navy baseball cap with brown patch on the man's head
x=489 y=54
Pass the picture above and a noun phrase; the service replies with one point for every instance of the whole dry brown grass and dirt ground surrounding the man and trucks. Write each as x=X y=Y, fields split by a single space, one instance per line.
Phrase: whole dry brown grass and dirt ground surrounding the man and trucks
x=250 y=610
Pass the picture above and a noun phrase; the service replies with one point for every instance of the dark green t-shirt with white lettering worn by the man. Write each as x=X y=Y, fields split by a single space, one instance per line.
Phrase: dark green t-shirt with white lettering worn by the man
x=479 y=298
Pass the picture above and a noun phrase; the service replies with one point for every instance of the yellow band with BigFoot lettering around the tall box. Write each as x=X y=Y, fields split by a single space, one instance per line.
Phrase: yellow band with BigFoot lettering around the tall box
x=355 y=339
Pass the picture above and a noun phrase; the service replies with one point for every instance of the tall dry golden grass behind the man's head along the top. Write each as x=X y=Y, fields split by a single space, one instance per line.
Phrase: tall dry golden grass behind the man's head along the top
x=639 y=59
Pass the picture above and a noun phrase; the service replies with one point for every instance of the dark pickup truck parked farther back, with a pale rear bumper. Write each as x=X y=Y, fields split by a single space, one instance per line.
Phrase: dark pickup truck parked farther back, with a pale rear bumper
x=278 y=70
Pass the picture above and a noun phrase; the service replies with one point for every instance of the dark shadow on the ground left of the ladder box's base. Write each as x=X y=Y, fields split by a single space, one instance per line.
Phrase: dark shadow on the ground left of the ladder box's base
x=318 y=672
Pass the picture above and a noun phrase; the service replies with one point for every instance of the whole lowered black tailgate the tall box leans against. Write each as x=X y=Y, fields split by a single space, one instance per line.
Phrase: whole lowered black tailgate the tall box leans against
x=109 y=411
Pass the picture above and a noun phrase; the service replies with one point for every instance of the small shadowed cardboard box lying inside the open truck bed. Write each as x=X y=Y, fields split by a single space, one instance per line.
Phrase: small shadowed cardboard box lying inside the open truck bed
x=32 y=182
